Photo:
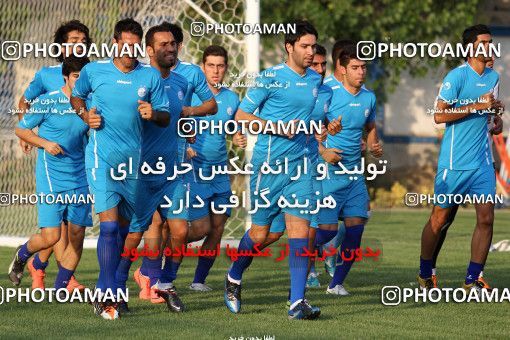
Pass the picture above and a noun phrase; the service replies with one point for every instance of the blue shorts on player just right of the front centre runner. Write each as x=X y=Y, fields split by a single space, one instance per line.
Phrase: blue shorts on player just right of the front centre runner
x=351 y=197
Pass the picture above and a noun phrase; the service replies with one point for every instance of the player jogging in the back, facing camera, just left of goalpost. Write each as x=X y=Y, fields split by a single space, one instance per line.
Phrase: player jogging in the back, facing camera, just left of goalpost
x=208 y=151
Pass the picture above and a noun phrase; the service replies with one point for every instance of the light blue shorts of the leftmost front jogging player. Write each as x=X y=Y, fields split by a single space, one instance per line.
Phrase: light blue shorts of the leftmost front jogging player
x=78 y=211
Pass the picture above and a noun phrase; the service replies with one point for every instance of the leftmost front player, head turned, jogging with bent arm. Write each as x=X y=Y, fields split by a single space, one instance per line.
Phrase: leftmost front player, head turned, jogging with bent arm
x=60 y=173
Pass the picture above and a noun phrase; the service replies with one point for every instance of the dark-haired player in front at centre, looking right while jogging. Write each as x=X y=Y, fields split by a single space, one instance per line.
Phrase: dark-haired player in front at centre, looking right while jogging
x=277 y=103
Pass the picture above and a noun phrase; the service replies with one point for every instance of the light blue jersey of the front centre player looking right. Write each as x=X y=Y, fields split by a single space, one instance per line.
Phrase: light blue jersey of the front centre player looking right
x=281 y=94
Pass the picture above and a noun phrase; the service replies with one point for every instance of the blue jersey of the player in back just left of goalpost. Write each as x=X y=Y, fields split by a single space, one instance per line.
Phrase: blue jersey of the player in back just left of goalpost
x=211 y=147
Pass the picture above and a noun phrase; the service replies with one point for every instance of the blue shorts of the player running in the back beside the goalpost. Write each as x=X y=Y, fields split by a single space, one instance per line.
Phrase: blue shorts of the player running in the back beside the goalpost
x=216 y=192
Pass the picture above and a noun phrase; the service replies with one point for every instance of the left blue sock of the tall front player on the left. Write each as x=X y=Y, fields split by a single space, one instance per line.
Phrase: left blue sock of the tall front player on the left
x=108 y=255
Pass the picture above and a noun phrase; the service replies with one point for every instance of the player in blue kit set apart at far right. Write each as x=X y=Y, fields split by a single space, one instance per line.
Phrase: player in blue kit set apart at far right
x=464 y=166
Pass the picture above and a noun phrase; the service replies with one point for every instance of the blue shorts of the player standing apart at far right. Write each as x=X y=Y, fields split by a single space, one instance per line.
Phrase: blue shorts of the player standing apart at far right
x=481 y=181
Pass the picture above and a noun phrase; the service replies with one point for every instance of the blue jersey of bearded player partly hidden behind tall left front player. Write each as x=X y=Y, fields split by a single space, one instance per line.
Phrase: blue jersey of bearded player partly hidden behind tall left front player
x=162 y=142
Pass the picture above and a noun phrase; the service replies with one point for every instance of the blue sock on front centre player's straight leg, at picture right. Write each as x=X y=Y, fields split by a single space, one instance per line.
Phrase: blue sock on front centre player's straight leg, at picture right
x=298 y=266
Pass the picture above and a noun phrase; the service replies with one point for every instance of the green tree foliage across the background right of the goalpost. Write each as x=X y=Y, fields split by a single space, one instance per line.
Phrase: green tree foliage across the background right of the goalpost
x=381 y=21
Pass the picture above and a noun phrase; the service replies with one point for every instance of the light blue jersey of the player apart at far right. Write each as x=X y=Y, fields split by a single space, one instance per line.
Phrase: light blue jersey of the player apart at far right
x=465 y=144
